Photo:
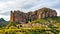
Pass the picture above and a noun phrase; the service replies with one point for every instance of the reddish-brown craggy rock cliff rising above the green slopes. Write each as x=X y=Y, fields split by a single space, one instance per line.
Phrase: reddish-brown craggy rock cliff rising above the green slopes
x=21 y=17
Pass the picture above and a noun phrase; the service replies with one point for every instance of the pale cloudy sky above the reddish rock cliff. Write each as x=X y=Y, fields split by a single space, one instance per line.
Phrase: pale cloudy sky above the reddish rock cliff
x=26 y=5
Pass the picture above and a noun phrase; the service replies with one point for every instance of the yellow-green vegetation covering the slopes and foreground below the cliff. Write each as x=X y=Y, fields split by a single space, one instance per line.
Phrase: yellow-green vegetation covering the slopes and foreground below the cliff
x=53 y=27
